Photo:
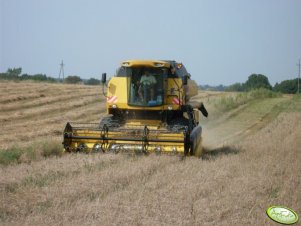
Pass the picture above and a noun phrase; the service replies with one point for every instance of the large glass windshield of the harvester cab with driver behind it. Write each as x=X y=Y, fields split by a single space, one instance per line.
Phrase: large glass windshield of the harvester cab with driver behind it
x=146 y=86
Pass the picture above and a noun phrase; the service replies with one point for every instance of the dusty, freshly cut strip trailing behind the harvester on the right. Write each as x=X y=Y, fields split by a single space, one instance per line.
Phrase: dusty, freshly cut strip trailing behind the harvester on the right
x=240 y=123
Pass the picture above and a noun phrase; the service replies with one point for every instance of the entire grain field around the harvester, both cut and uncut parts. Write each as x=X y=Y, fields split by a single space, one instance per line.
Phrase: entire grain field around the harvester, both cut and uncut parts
x=251 y=161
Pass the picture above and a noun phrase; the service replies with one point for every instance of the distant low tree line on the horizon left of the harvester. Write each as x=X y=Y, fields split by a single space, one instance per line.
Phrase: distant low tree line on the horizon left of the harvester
x=16 y=74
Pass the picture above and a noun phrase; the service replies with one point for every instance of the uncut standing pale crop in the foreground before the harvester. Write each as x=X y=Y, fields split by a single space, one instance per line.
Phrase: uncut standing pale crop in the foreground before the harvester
x=233 y=185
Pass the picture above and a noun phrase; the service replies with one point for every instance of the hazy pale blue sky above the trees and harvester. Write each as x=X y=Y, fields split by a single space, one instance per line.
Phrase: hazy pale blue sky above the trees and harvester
x=219 y=41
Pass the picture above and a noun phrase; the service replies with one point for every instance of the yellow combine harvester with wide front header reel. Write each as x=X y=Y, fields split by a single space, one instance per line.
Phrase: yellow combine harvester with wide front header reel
x=149 y=110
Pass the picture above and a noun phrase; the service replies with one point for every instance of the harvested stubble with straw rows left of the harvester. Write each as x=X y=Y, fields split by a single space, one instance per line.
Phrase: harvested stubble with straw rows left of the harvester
x=30 y=111
